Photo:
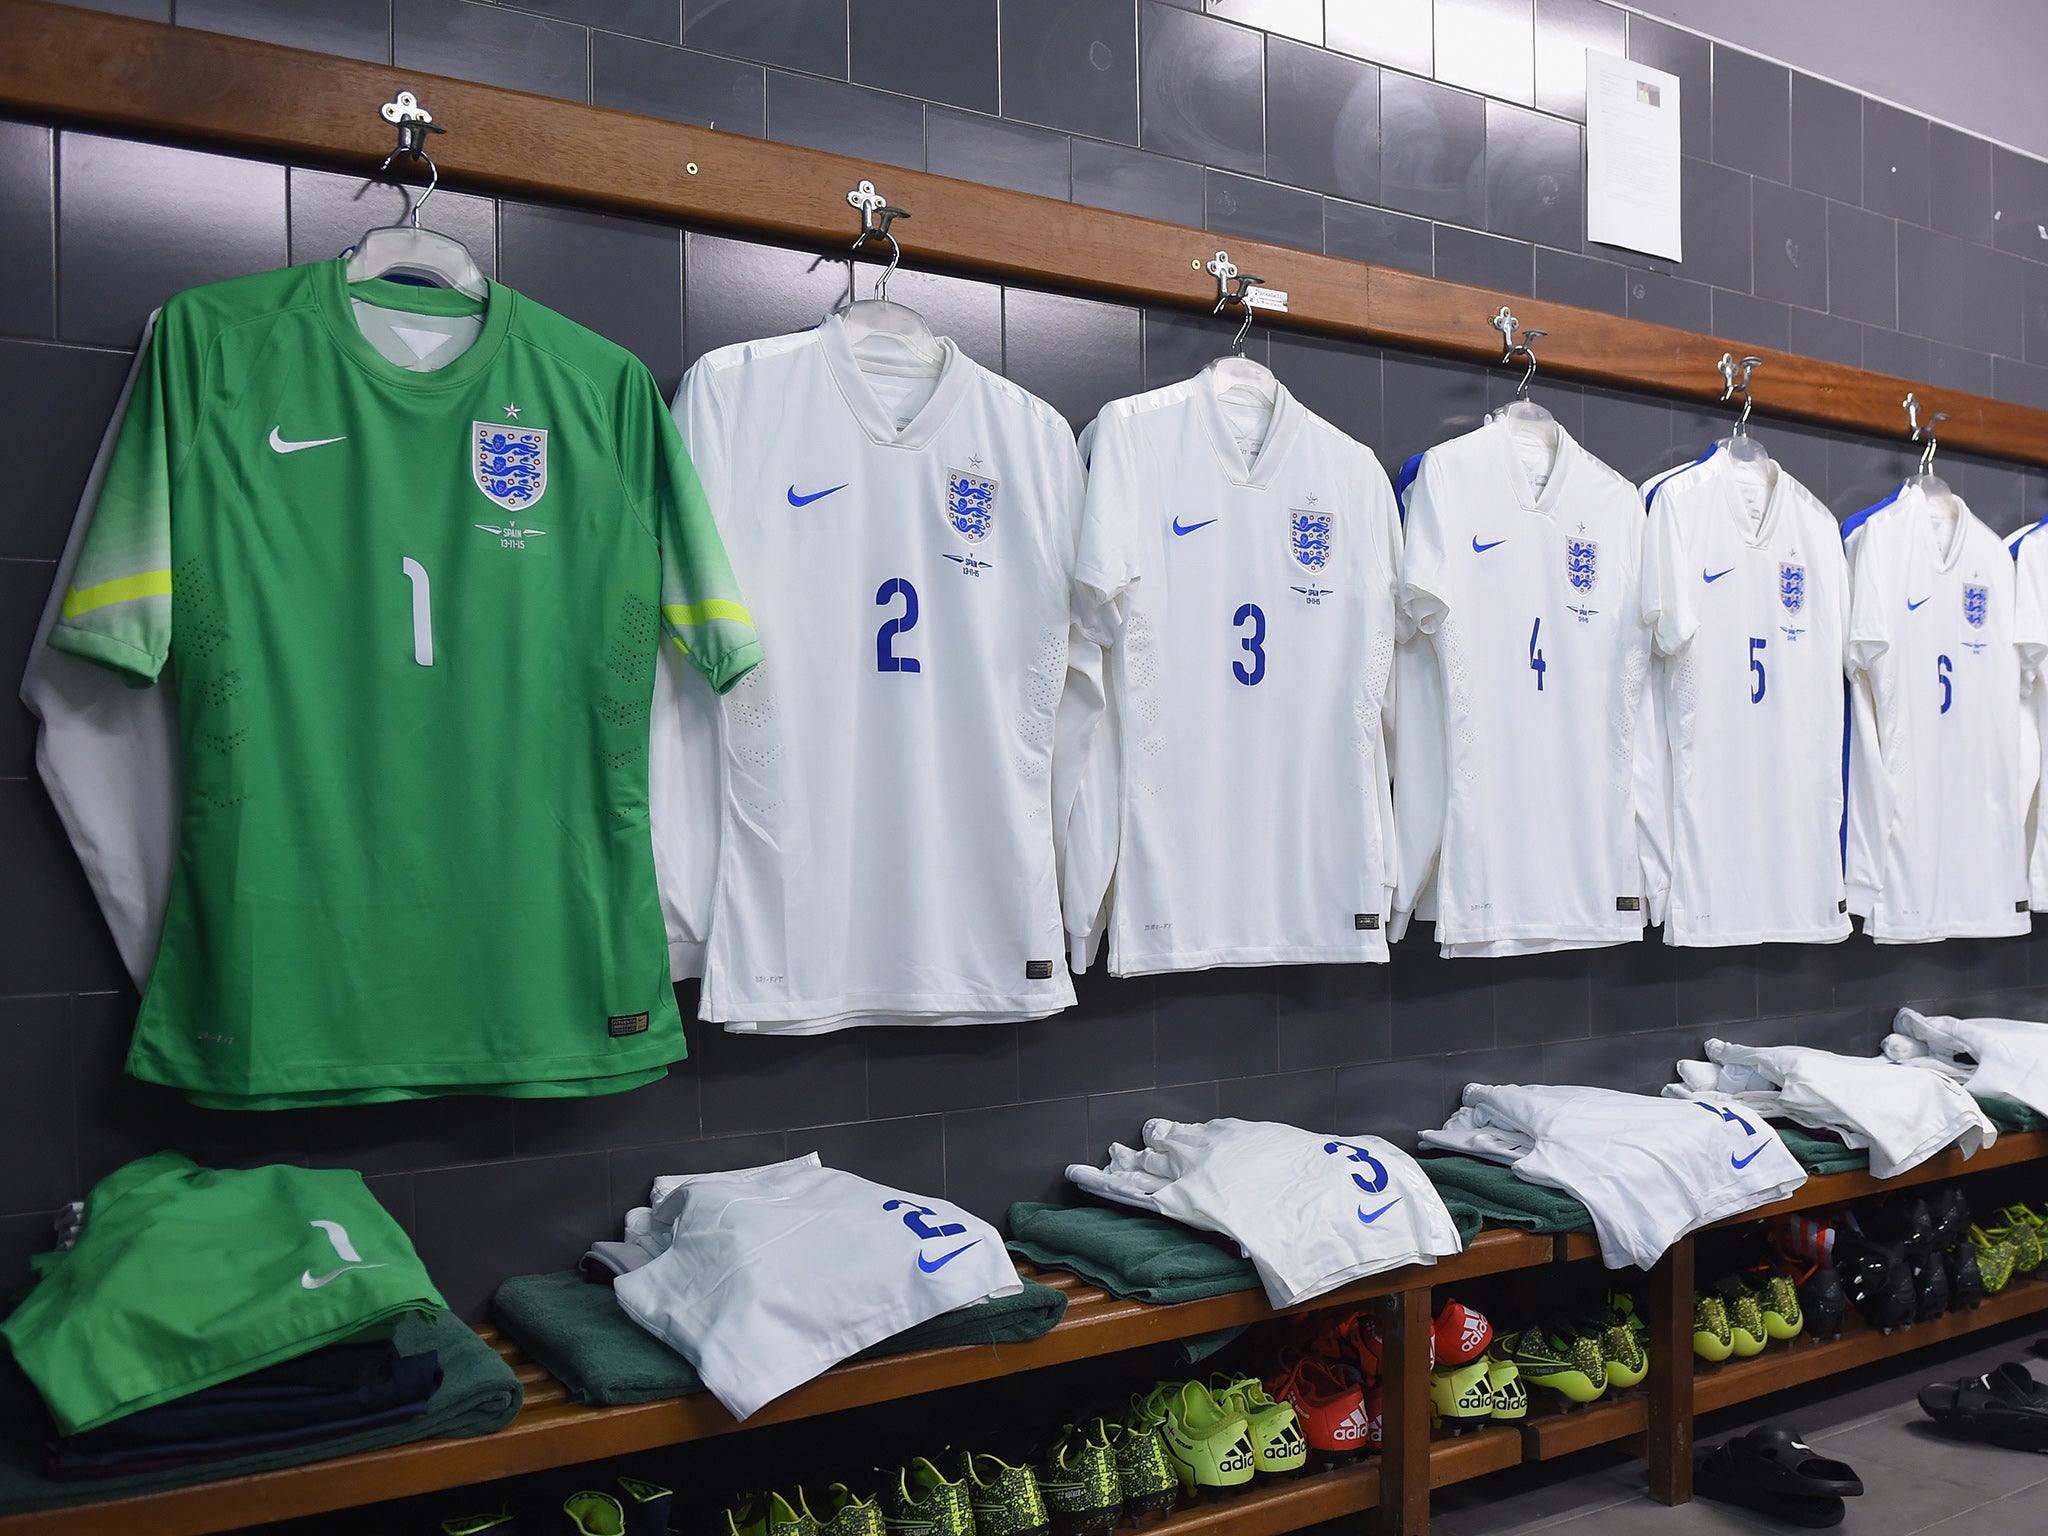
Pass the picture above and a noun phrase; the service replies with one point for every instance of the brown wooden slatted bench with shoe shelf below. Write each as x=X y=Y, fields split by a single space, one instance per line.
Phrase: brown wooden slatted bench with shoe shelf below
x=554 y=1433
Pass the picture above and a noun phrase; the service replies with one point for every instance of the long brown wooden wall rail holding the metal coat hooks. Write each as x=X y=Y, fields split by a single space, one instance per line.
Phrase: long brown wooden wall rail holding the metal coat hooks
x=134 y=77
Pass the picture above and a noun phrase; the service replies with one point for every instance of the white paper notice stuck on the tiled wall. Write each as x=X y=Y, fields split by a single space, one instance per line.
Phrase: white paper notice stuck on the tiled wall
x=1631 y=157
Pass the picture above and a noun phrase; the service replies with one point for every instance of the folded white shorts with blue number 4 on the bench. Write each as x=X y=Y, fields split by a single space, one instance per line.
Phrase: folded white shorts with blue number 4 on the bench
x=1650 y=1170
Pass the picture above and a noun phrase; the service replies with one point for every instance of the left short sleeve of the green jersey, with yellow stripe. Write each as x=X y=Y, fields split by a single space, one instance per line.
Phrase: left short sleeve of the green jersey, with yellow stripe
x=120 y=603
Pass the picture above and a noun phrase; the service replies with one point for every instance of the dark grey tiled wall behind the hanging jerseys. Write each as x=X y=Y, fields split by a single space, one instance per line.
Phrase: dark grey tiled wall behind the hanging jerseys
x=1818 y=222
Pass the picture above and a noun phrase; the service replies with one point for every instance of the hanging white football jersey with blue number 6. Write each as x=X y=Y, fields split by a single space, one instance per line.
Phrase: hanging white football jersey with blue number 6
x=1936 y=837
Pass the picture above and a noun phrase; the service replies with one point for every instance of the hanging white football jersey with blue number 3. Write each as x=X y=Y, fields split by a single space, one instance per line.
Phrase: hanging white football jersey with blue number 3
x=1242 y=564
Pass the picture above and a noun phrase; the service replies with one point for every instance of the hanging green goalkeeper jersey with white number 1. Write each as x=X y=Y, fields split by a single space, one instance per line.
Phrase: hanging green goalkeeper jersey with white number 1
x=411 y=615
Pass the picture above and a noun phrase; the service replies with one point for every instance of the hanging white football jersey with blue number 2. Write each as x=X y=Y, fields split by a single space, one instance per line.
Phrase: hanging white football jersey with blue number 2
x=888 y=818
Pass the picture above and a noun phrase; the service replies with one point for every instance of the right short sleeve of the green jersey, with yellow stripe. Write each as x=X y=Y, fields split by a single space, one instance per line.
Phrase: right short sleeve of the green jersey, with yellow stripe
x=701 y=607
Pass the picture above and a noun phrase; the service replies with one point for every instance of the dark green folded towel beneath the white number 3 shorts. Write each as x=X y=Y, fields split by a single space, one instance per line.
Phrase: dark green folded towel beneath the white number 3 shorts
x=1129 y=1254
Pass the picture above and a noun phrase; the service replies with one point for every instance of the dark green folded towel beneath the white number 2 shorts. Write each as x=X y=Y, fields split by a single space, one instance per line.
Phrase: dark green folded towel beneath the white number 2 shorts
x=583 y=1336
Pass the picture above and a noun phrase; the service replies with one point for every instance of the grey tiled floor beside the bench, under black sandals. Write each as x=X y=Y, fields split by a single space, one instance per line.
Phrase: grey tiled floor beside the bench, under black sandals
x=1914 y=1480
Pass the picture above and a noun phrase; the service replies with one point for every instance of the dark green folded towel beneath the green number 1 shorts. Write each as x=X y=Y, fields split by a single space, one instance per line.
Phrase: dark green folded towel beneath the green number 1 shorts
x=478 y=1396
